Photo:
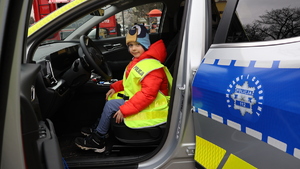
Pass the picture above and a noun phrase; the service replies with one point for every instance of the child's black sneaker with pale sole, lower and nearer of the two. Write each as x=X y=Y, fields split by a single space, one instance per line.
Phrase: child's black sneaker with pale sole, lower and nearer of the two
x=94 y=142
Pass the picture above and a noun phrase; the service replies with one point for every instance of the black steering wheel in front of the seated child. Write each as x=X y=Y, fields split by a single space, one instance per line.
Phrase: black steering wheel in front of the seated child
x=94 y=58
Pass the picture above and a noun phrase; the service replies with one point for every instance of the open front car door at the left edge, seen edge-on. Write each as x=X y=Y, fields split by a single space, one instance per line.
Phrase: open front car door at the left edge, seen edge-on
x=26 y=140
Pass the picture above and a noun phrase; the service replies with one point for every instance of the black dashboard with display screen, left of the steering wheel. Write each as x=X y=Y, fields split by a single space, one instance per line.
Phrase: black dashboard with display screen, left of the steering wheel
x=62 y=71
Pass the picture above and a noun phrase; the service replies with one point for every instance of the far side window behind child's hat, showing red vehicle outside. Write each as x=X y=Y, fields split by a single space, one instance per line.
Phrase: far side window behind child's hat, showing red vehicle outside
x=149 y=15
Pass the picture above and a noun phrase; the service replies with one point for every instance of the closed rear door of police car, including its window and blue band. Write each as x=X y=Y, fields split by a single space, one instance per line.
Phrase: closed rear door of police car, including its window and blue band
x=246 y=90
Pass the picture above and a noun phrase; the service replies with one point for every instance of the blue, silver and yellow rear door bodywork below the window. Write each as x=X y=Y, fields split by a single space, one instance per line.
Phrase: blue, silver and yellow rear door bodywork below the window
x=251 y=91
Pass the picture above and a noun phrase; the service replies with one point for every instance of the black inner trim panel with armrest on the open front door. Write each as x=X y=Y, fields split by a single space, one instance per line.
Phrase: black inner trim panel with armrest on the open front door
x=39 y=136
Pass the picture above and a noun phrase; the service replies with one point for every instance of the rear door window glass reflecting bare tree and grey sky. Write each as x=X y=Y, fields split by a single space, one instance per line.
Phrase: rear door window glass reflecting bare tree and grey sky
x=270 y=19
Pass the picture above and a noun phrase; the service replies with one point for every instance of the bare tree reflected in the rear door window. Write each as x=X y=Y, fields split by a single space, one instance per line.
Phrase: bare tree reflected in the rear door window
x=275 y=24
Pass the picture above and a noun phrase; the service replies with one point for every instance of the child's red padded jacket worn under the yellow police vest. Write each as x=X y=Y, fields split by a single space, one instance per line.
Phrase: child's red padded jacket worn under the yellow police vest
x=152 y=83
